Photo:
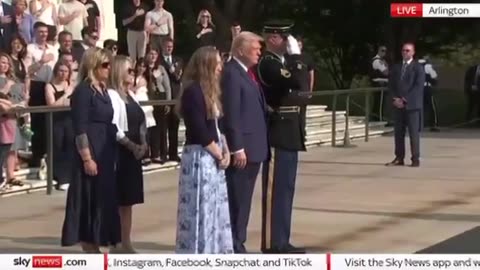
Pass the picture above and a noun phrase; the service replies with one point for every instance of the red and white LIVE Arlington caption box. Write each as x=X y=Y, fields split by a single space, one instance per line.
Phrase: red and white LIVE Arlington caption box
x=443 y=10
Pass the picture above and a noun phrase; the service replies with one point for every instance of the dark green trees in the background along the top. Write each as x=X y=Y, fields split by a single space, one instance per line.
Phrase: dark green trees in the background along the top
x=341 y=35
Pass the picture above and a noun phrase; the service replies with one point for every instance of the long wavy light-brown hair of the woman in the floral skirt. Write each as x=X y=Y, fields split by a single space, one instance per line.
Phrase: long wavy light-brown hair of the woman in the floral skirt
x=201 y=69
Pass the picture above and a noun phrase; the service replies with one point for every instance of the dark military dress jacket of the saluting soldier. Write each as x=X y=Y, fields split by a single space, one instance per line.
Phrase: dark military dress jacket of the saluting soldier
x=281 y=84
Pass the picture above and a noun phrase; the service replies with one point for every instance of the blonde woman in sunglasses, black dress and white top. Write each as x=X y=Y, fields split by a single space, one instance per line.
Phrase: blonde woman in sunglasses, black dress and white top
x=131 y=136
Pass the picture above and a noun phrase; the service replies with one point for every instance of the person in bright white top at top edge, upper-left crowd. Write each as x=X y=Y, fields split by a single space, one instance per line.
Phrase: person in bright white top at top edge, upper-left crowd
x=45 y=11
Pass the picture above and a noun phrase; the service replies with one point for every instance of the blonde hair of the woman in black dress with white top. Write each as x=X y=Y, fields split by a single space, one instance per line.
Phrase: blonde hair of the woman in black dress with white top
x=116 y=79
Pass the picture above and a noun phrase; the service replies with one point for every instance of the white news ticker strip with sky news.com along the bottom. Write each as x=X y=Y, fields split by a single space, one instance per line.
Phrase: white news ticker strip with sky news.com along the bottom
x=237 y=261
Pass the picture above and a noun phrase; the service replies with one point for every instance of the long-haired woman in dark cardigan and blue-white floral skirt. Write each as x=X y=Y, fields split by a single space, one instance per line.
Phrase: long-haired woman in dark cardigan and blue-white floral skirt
x=203 y=219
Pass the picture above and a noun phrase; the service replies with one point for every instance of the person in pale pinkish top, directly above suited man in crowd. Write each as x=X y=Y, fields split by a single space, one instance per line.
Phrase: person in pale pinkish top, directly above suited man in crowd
x=159 y=24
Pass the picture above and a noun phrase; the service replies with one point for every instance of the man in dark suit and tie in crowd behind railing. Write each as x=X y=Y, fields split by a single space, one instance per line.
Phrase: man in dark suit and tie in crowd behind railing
x=174 y=67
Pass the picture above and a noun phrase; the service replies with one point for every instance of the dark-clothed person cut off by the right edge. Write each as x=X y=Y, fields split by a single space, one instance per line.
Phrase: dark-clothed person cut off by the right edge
x=472 y=92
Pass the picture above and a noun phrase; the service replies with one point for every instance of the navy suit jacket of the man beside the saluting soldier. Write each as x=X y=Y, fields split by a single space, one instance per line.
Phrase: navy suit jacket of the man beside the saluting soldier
x=244 y=122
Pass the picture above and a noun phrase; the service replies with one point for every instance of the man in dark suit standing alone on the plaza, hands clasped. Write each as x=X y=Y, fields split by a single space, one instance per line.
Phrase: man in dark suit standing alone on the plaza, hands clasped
x=406 y=84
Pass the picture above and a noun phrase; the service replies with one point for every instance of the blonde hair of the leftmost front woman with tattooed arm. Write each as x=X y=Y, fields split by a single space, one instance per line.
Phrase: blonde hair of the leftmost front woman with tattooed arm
x=92 y=60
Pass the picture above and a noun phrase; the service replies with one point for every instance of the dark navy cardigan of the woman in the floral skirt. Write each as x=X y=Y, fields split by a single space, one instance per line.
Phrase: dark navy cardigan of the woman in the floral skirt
x=198 y=129
